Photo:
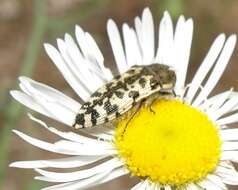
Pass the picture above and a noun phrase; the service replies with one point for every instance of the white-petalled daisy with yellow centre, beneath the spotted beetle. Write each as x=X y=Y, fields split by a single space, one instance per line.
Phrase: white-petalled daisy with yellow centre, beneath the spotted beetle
x=185 y=144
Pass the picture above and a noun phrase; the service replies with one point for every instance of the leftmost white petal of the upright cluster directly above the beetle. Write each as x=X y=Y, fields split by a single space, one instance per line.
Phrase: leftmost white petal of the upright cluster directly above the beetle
x=117 y=47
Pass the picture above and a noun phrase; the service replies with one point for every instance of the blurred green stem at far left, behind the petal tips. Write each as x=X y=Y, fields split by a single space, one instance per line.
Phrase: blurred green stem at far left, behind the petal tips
x=13 y=110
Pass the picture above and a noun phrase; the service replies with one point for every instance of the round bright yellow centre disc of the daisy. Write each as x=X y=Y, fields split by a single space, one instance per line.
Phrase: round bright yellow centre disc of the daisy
x=175 y=146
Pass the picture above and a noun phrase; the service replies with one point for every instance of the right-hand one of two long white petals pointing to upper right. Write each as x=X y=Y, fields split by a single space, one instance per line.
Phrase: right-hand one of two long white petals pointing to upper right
x=218 y=70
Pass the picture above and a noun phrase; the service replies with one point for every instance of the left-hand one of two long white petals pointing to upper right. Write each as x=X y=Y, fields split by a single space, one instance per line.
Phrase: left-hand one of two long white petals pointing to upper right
x=205 y=66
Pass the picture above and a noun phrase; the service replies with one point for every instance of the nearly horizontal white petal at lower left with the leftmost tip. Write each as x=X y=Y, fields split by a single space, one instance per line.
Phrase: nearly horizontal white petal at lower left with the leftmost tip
x=70 y=162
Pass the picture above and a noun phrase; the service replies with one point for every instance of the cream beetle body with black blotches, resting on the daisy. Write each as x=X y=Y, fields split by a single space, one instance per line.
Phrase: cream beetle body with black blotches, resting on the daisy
x=119 y=95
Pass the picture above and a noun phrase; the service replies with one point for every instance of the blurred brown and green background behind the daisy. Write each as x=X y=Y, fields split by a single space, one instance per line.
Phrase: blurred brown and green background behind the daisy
x=26 y=24
